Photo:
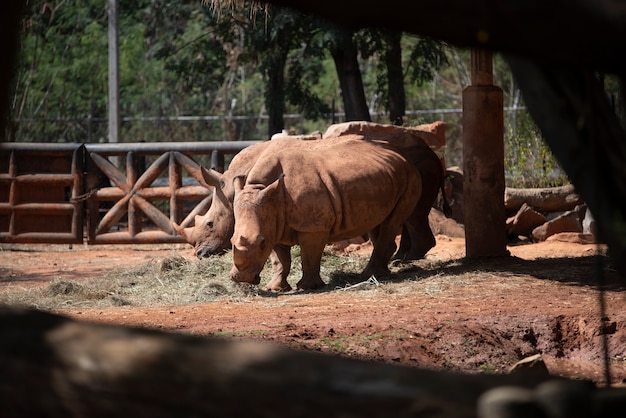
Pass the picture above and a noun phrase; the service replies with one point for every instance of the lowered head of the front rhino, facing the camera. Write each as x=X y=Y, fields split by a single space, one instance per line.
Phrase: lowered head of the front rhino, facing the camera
x=255 y=228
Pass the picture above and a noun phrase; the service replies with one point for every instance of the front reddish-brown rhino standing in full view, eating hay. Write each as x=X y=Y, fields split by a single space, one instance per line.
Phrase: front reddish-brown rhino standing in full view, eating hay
x=315 y=195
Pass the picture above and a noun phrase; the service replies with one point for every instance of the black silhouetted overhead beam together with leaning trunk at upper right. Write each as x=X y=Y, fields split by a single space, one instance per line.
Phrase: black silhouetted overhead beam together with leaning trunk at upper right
x=555 y=66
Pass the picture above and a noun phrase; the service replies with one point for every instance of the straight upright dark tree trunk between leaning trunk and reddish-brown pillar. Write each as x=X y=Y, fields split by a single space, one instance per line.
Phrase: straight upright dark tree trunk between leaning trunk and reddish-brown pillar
x=395 y=78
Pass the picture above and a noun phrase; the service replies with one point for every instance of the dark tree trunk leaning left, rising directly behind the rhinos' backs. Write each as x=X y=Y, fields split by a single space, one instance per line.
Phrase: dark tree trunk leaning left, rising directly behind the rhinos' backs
x=345 y=55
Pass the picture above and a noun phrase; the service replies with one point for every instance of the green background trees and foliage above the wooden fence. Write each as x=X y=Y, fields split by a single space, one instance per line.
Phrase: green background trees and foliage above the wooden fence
x=180 y=58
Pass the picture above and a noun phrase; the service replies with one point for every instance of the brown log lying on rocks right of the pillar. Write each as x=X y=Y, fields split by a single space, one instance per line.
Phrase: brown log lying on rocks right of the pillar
x=549 y=199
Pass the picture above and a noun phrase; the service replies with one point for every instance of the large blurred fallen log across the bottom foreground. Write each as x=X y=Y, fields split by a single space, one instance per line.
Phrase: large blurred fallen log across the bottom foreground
x=54 y=366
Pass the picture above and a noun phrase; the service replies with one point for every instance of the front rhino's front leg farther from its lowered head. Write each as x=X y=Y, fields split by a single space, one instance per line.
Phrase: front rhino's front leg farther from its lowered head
x=311 y=248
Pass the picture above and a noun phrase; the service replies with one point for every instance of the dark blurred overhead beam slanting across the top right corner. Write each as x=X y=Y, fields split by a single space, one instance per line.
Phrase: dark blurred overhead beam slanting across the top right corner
x=583 y=33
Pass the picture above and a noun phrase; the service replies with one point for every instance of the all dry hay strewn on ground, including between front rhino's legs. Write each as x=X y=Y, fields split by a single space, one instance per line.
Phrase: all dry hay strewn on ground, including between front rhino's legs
x=178 y=281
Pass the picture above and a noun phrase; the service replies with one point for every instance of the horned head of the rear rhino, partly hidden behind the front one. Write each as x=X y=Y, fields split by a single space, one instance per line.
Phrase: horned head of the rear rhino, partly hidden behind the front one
x=211 y=232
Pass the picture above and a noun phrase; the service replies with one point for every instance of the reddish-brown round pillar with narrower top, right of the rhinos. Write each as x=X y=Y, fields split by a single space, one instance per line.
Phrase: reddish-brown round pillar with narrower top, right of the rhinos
x=483 y=162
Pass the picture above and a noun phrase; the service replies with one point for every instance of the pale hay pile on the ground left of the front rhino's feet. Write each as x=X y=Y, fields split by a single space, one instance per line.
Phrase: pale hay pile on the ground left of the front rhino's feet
x=173 y=281
